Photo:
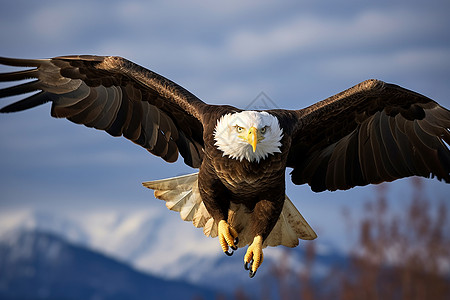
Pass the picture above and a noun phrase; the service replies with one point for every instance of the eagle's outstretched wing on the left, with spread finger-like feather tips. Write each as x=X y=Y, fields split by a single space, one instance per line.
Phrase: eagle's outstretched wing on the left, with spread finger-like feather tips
x=115 y=95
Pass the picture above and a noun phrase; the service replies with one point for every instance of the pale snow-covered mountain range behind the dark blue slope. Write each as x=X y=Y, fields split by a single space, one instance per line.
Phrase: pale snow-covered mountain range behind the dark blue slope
x=152 y=241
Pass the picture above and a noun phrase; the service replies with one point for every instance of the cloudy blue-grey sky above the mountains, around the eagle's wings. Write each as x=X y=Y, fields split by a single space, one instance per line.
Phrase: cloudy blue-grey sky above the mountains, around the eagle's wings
x=296 y=52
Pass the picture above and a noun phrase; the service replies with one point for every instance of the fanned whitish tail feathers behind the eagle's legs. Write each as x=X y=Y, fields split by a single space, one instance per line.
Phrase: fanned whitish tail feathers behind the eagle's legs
x=181 y=194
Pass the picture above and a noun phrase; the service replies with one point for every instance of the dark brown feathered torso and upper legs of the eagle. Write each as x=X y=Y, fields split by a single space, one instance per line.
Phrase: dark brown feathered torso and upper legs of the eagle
x=260 y=186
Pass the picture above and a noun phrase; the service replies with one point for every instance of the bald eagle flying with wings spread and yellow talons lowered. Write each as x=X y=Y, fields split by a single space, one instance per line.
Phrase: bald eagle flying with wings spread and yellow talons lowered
x=370 y=133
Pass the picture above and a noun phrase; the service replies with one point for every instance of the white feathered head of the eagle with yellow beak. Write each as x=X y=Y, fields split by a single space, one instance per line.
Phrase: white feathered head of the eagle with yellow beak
x=251 y=135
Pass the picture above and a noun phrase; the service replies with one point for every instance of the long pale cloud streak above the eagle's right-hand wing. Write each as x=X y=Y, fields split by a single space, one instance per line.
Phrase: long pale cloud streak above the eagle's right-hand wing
x=325 y=34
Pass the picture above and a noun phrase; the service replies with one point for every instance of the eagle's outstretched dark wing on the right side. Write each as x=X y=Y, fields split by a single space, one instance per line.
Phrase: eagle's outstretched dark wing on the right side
x=370 y=133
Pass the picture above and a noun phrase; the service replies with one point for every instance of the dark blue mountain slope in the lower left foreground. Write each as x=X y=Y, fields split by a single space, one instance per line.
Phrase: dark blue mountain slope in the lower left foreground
x=36 y=265
